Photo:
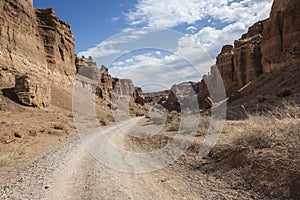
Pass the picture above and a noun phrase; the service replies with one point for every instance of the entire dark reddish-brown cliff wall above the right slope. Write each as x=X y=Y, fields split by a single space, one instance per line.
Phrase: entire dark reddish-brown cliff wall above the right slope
x=268 y=46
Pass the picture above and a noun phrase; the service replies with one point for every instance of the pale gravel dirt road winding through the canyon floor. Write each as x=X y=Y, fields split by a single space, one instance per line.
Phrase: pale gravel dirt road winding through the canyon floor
x=69 y=171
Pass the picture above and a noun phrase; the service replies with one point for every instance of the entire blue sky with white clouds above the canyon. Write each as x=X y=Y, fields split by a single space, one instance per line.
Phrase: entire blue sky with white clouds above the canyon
x=157 y=43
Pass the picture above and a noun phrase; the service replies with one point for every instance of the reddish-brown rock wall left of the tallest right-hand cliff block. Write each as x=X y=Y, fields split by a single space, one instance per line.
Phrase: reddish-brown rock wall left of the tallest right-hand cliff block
x=241 y=63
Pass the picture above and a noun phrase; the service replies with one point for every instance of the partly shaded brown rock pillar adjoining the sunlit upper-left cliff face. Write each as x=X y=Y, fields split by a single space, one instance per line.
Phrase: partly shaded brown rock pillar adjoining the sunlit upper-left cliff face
x=59 y=45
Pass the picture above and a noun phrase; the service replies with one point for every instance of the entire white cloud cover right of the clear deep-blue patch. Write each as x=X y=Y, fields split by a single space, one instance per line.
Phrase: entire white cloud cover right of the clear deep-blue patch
x=222 y=22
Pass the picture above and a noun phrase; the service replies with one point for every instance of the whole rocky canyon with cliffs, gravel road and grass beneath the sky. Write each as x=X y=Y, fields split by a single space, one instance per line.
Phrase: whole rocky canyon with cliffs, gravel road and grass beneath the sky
x=42 y=154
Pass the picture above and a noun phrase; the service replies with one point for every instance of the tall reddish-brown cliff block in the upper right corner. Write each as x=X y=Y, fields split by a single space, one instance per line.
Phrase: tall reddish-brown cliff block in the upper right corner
x=281 y=36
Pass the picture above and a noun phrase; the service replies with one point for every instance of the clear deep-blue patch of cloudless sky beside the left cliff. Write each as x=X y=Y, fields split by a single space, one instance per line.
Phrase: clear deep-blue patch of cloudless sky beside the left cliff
x=91 y=21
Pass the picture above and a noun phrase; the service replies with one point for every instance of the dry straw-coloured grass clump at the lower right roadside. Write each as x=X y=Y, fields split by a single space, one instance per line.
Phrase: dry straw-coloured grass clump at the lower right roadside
x=266 y=151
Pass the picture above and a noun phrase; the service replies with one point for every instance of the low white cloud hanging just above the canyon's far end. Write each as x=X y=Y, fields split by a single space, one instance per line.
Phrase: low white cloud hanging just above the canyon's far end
x=149 y=71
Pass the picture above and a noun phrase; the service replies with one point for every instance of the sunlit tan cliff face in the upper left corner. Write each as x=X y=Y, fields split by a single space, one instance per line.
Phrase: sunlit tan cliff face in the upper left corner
x=21 y=47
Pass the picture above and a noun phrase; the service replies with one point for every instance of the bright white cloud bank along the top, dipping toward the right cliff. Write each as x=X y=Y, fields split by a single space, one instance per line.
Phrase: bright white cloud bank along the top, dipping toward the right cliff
x=235 y=17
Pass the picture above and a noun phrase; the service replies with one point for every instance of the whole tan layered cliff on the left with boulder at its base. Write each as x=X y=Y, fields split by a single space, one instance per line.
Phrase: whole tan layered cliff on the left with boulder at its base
x=36 y=44
